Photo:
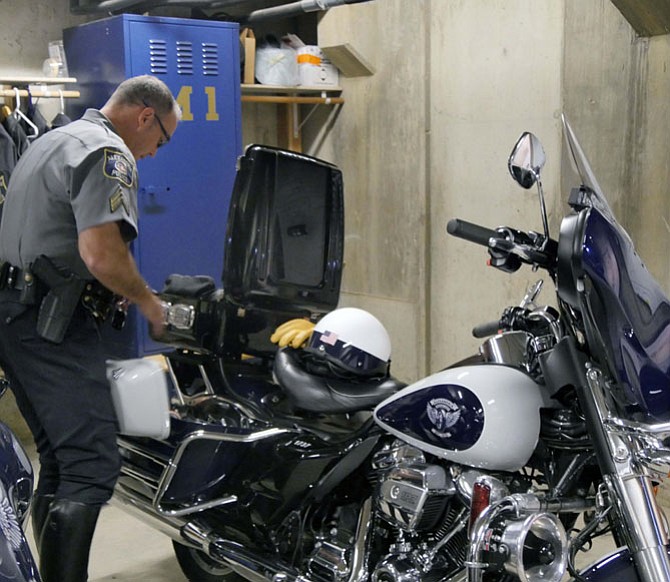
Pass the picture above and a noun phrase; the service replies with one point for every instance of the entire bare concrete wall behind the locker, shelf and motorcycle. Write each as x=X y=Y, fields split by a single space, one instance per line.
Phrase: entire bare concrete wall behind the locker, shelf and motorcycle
x=427 y=137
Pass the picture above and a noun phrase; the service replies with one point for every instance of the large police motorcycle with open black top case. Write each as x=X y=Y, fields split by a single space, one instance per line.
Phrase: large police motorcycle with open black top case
x=264 y=465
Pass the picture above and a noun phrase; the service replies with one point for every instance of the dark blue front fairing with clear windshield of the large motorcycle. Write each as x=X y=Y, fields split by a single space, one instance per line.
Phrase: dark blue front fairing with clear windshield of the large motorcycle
x=627 y=312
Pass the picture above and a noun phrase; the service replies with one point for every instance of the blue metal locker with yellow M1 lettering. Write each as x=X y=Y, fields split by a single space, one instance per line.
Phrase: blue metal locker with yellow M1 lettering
x=185 y=190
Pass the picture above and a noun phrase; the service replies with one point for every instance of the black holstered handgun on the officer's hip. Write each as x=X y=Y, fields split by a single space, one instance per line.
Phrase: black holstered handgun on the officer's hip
x=57 y=307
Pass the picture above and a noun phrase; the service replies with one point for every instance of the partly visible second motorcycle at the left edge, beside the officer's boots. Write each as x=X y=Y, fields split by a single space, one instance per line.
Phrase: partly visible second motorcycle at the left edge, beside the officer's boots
x=16 y=490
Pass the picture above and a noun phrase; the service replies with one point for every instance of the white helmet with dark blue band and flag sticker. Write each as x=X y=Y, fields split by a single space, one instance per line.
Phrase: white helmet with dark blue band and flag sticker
x=353 y=340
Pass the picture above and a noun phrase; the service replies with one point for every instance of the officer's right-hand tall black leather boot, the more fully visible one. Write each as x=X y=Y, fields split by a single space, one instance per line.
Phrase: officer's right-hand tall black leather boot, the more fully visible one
x=66 y=541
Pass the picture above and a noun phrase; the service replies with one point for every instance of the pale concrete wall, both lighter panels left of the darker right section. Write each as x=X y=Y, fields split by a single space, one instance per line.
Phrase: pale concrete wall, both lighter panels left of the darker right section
x=426 y=139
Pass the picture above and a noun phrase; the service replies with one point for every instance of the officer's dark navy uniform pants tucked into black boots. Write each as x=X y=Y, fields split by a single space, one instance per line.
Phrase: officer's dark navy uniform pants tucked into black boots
x=63 y=394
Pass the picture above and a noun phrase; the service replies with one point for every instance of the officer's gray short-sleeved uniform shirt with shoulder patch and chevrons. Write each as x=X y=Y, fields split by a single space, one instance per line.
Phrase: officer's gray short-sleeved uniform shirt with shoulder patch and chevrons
x=72 y=178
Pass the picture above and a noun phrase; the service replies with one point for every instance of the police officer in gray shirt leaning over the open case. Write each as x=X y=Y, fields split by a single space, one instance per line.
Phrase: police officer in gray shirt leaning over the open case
x=72 y=199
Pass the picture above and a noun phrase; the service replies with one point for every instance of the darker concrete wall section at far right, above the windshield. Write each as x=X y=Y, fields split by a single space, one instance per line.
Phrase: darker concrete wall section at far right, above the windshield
x=615 y=93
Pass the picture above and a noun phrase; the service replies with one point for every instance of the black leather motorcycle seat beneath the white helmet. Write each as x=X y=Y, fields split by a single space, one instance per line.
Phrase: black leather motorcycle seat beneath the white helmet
x=326 y=393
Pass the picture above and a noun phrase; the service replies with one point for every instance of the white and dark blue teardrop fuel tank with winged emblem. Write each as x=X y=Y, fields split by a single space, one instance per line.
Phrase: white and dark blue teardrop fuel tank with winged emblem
x=485 y=416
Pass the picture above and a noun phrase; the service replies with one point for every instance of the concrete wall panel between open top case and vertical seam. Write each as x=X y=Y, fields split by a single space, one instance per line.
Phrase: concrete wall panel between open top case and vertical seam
x=380 y=138
